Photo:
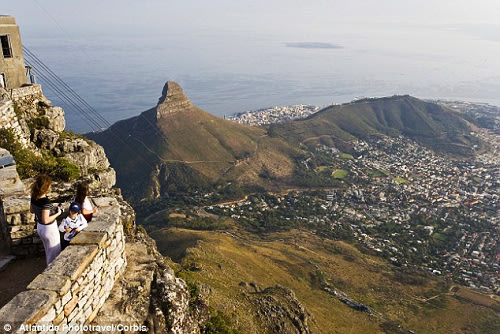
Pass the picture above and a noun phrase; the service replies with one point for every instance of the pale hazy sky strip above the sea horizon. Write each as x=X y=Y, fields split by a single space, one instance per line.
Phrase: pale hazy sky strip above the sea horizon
x=275 y=16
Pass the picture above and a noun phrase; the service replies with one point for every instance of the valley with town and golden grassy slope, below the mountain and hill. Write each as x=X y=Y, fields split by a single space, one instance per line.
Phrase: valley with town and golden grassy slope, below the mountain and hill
x=400 y=216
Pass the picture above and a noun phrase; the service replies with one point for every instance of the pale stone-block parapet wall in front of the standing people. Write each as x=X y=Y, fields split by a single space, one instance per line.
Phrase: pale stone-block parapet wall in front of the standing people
x=71 y=291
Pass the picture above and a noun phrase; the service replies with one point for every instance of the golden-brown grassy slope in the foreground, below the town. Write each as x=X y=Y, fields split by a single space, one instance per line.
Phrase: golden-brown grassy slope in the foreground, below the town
x=287 y=259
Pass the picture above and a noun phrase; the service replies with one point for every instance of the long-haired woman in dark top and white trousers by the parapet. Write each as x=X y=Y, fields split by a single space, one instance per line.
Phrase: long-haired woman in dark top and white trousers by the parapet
x=45 y=217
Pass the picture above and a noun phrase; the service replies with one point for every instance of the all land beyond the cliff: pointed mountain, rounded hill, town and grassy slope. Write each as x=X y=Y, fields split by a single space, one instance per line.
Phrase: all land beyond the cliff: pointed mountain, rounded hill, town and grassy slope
x=382 y=212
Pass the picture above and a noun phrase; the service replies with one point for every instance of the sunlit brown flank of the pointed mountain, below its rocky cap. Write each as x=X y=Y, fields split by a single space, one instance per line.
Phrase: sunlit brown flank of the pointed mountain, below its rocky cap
x=226 y=149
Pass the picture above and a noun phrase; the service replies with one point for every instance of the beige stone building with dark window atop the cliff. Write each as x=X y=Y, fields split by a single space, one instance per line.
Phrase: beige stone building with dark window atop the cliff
x=12 y=67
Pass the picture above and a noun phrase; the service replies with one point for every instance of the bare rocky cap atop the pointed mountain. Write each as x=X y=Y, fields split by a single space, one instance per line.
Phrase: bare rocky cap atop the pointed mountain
x=172 y=100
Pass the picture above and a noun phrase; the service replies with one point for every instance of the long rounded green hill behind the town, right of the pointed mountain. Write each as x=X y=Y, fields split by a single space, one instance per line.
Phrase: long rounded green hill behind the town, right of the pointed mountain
x=429 y=124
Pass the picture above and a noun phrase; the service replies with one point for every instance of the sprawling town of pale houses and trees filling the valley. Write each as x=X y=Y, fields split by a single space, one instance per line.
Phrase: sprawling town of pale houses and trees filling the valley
x=402 y=201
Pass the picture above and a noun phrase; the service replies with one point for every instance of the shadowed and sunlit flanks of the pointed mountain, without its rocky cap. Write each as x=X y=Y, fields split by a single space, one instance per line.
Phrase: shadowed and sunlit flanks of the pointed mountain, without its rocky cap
x=209 y=149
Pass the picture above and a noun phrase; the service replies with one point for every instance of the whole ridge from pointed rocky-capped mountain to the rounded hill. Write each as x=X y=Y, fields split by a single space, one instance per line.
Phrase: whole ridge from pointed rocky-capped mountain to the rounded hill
x=181 y=146
